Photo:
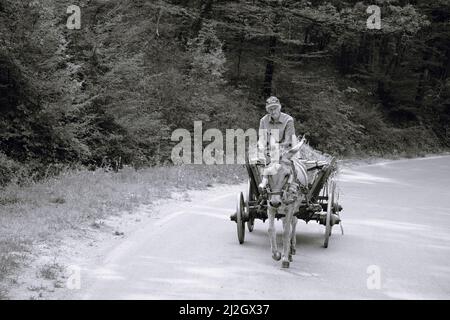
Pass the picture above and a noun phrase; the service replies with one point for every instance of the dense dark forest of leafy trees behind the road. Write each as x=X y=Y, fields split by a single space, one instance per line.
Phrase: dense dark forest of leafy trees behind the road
x=114 y=90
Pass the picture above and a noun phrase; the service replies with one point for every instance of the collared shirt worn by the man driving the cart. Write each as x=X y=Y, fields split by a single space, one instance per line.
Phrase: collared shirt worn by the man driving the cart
x=284 y=125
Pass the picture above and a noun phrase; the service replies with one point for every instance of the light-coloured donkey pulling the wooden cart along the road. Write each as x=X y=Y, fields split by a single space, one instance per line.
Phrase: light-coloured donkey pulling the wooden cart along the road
x=284 y=182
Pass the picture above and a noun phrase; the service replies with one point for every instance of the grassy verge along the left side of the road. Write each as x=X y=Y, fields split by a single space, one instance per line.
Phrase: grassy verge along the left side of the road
x=74 y=199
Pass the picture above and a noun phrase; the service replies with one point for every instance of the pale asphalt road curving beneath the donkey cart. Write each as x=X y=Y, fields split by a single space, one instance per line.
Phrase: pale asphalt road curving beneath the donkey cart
x=396 y=245
